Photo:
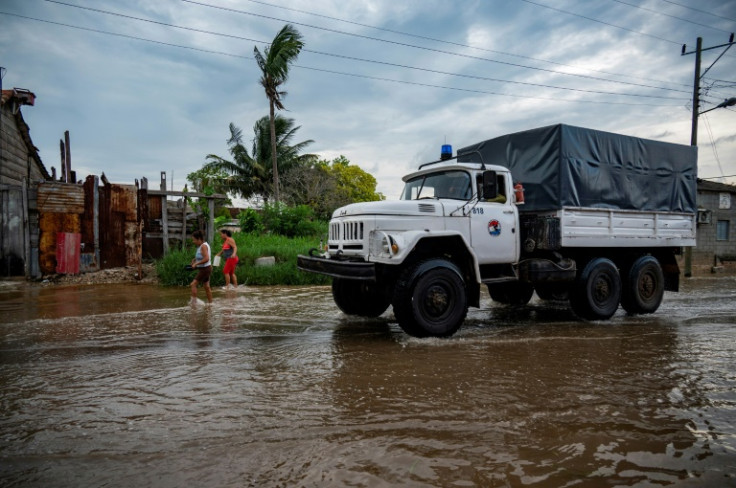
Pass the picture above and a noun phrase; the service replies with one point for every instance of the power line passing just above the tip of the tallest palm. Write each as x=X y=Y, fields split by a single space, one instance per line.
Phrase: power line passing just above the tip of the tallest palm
x=516 y=65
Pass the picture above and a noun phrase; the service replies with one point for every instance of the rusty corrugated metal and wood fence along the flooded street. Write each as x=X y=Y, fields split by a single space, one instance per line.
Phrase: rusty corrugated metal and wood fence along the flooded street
x=113 y=225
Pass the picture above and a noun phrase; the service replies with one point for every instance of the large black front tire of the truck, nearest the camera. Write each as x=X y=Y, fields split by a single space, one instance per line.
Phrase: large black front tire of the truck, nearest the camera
x=430 y=299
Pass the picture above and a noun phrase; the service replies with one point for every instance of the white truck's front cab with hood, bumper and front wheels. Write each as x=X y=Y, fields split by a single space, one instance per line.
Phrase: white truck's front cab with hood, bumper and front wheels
x=456 y=221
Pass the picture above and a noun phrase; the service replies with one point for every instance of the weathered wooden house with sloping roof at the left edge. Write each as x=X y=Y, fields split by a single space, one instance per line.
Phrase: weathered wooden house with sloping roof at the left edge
x=20 y=171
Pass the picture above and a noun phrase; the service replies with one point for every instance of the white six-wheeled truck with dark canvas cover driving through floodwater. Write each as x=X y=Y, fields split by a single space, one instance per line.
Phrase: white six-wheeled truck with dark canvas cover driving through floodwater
x=587 y=216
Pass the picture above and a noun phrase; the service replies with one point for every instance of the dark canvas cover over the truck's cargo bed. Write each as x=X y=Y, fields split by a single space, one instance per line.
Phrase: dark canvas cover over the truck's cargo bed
x=561 y=165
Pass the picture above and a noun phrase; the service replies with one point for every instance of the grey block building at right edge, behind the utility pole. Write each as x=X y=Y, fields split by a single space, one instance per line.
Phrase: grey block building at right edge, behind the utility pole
x=716 y=236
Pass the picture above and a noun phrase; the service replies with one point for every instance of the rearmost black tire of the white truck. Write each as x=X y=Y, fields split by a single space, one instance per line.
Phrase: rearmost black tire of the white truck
x=643 y=287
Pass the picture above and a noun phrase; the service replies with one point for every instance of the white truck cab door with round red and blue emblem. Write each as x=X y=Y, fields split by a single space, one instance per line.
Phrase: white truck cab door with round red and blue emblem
x=493 y=228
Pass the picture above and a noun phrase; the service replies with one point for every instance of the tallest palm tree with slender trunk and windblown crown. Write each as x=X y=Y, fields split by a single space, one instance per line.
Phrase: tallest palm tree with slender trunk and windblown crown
x=274 y=64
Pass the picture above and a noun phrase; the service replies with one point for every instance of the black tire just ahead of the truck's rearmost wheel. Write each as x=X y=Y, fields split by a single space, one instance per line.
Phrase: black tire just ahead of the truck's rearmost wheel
x=597 y=290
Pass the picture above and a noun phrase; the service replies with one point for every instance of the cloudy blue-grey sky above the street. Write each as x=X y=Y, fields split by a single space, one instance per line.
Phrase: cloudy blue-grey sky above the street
x=151 y=86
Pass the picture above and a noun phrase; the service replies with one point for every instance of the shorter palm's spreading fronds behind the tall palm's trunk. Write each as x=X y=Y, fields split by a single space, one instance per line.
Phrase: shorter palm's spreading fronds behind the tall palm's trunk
x=250 y=174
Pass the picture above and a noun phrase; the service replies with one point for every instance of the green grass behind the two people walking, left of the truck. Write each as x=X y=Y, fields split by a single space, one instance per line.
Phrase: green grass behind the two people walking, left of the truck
x=171 y=270
